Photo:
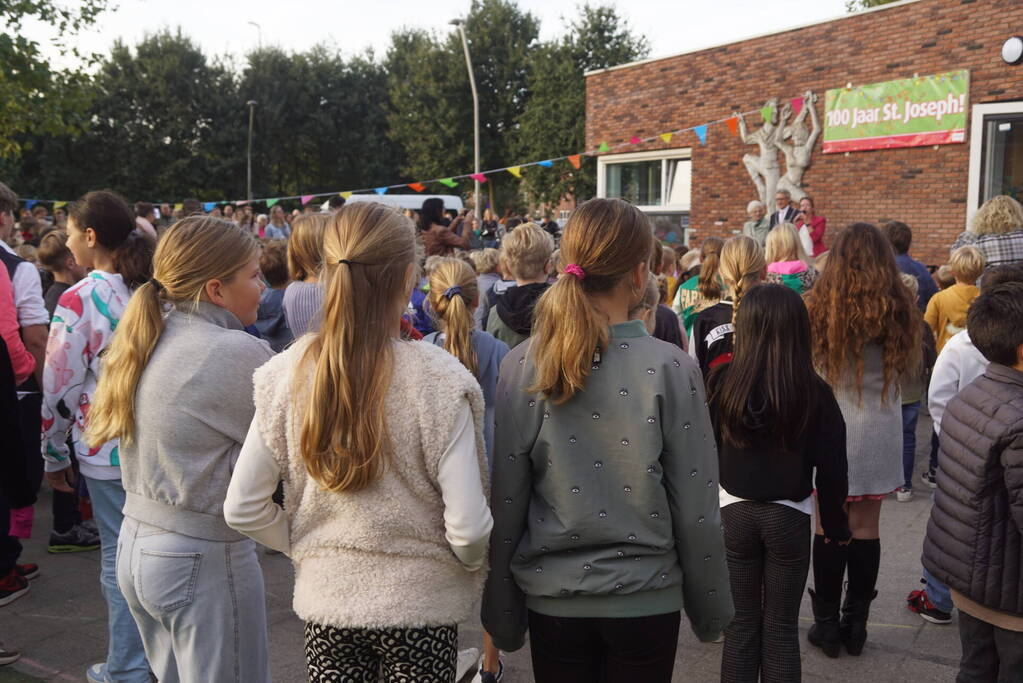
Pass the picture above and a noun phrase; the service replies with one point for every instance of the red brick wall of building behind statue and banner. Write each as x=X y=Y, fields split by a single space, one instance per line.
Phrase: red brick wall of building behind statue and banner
x=924 y=187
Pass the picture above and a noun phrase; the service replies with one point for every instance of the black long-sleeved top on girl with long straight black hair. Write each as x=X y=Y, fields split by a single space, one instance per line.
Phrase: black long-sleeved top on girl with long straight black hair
x=764 y=473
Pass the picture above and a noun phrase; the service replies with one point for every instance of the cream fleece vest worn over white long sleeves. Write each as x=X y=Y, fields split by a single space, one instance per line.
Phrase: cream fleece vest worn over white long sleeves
x=378 y=558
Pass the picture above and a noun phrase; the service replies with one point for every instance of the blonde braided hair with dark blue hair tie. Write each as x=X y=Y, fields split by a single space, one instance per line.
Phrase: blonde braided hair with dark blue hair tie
x=453 y=291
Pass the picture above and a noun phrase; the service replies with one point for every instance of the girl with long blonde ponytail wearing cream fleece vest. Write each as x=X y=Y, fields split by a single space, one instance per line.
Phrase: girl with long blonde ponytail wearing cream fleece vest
x=380 y=446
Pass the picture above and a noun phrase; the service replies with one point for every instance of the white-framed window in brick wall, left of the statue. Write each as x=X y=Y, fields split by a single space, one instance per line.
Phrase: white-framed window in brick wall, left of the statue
x=658 y=183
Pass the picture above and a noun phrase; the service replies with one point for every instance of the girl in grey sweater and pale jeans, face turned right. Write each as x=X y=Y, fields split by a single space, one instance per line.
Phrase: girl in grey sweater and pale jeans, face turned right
x=177 y=393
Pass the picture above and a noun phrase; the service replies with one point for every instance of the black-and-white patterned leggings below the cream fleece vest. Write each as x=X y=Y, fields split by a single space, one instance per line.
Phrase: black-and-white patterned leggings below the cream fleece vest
x=359 y=656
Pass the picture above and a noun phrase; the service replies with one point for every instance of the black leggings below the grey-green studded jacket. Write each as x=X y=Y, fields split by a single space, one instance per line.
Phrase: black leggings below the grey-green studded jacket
x=592 y=650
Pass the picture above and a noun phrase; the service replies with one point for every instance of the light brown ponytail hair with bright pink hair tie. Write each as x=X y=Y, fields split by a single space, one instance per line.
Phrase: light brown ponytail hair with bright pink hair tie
x=607 y=239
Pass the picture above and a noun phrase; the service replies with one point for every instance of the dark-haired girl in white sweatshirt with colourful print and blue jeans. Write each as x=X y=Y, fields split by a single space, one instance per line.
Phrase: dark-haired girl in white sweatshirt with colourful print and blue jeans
x=102 y=237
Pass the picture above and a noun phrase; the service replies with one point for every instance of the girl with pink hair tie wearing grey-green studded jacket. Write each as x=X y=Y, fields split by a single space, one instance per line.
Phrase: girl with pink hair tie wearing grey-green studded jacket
x=597 y=423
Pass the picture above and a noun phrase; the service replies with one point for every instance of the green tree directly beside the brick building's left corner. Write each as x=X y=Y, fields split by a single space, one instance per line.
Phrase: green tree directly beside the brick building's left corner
x=553 y=123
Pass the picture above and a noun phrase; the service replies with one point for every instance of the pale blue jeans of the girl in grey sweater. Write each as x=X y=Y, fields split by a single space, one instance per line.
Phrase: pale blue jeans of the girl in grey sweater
x=200 y=605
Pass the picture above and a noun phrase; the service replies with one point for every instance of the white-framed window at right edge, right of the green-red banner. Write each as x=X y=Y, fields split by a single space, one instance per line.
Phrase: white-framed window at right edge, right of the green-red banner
x=996 y=154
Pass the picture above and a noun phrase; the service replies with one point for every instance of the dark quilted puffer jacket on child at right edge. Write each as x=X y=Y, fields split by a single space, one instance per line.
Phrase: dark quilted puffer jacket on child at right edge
x=975 y=536
